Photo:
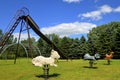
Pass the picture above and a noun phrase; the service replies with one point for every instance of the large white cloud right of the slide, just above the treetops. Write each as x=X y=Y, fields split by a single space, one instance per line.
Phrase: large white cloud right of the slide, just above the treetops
x=67 y=29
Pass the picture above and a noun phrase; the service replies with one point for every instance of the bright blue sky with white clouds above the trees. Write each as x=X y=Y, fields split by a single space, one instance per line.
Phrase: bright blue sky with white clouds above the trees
x=71 y=18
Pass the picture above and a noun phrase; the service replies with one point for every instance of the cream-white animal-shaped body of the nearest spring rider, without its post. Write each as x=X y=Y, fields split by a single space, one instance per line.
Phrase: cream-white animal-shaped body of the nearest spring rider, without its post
x=41 y=60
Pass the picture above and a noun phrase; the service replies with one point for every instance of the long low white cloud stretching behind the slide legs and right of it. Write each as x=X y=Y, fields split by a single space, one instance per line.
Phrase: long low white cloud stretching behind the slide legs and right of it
x=63 y=29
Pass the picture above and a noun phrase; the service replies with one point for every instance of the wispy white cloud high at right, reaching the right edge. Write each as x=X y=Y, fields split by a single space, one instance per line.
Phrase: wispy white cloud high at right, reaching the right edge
x=97 y=14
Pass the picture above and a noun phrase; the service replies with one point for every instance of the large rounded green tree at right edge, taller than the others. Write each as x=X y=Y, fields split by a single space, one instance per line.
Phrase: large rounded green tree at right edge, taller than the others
x=104 y=38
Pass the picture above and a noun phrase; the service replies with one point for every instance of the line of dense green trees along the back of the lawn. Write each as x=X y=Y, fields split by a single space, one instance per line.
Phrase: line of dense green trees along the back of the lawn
x=101 y=39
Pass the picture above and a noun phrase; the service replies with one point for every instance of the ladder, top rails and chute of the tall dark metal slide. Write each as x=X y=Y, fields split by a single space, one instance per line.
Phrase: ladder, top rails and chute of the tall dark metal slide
x=22 y=16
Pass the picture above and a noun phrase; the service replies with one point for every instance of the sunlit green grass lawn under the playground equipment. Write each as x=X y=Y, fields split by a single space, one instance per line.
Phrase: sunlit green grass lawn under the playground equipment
x=66 y=70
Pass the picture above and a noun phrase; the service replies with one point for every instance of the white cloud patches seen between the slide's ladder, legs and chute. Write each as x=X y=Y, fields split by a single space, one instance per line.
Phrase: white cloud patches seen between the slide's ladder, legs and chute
x=24 y=36
